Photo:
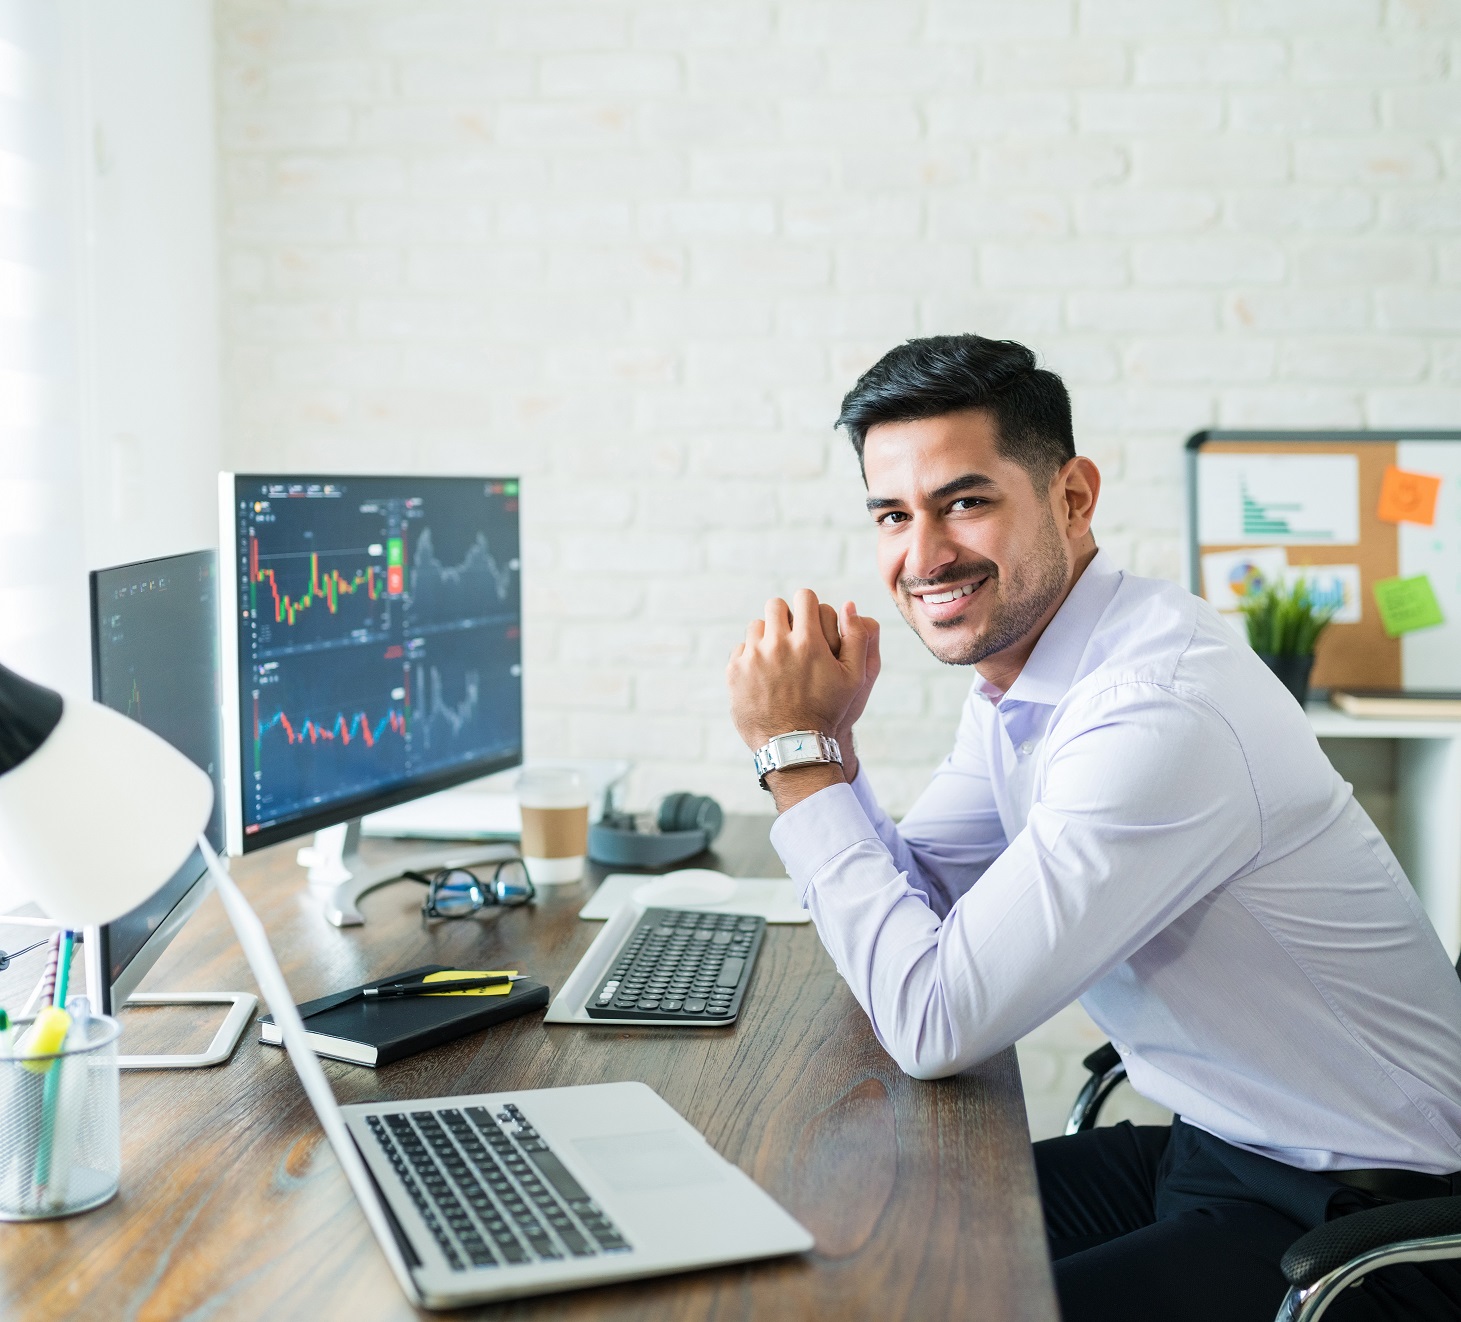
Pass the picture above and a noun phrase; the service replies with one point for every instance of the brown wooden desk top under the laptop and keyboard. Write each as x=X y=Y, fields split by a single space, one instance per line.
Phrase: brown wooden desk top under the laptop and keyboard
x=921 y=1196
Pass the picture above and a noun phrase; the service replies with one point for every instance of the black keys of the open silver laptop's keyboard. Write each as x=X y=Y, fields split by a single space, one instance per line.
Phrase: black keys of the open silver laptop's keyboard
x=490 y=1190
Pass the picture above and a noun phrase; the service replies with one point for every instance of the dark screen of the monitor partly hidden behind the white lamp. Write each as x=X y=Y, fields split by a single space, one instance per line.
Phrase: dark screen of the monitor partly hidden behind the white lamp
x=156 y=660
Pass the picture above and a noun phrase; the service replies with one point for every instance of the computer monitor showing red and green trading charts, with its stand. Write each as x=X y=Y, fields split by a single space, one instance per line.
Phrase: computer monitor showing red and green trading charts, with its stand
x=373 y=652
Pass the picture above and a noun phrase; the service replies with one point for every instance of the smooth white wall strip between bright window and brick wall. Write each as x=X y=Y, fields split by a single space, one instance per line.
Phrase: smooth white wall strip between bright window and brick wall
x=153 y=451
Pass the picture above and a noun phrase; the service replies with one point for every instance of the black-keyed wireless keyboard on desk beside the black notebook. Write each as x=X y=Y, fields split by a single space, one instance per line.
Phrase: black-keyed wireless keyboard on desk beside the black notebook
x=680 y=966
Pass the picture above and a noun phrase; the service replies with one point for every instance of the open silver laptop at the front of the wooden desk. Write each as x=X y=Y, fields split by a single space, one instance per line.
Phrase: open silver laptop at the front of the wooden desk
x=506 y=1194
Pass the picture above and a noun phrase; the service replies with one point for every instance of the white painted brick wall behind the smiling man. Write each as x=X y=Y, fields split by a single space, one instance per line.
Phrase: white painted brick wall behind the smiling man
x=636 y=251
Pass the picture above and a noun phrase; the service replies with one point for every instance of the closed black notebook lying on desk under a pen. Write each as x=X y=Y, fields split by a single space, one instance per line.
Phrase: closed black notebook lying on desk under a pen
x=346 y=1028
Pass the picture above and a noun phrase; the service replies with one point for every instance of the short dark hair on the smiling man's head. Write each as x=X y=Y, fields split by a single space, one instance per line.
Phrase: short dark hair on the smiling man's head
x=950 y=373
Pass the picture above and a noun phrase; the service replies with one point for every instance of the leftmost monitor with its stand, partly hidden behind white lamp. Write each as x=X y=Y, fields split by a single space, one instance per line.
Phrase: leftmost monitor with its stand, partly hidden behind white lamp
x=156 y=658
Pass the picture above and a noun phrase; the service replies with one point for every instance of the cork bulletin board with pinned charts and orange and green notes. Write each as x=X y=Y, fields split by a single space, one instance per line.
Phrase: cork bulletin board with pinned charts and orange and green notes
x=1371 y=521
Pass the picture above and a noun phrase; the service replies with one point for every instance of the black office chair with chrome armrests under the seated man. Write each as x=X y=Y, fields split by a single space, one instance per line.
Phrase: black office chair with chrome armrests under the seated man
x=1330 y=1258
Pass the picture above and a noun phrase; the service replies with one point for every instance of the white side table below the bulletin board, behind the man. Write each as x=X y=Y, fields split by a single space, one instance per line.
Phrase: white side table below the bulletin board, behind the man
x=1427 y=823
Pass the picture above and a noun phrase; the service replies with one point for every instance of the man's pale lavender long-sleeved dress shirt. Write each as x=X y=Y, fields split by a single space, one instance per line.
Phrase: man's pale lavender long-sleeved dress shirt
x=1146 y=822
